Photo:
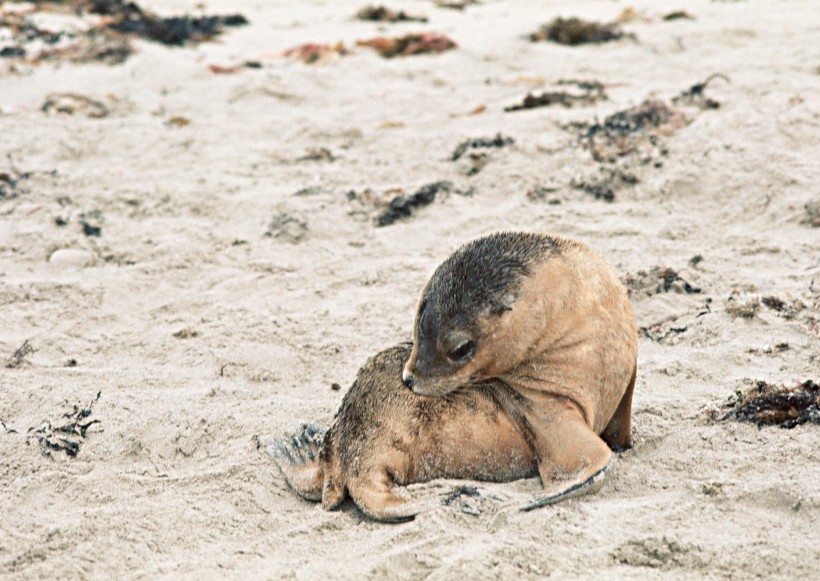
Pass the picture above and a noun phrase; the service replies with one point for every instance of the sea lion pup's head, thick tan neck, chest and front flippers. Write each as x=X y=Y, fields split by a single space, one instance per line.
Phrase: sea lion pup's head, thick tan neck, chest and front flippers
x=549 y=318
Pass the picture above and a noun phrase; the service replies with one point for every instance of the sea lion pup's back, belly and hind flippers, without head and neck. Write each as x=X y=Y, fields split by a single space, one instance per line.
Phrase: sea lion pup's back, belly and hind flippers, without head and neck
x=385 y=435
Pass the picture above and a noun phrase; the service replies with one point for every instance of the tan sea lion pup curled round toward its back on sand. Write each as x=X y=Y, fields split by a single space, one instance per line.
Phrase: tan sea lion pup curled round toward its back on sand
x=524 y=363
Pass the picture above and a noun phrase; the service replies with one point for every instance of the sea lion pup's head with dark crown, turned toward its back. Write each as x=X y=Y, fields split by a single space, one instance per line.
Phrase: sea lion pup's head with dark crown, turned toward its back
x=470 y=316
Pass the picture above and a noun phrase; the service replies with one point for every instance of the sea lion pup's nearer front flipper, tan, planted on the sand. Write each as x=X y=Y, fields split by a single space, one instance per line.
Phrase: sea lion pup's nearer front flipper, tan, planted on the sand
x=572 y=458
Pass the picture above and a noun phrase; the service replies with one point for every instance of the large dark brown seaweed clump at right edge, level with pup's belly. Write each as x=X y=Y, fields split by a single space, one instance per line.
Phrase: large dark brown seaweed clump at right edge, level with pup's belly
x=767 y=404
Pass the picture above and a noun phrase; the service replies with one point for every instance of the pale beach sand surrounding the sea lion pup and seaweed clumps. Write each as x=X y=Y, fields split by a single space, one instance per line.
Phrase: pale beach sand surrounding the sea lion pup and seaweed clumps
x=172 y=483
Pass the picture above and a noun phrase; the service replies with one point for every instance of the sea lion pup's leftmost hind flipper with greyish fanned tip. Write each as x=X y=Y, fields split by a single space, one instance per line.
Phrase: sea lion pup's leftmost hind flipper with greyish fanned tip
x=298 y=459
